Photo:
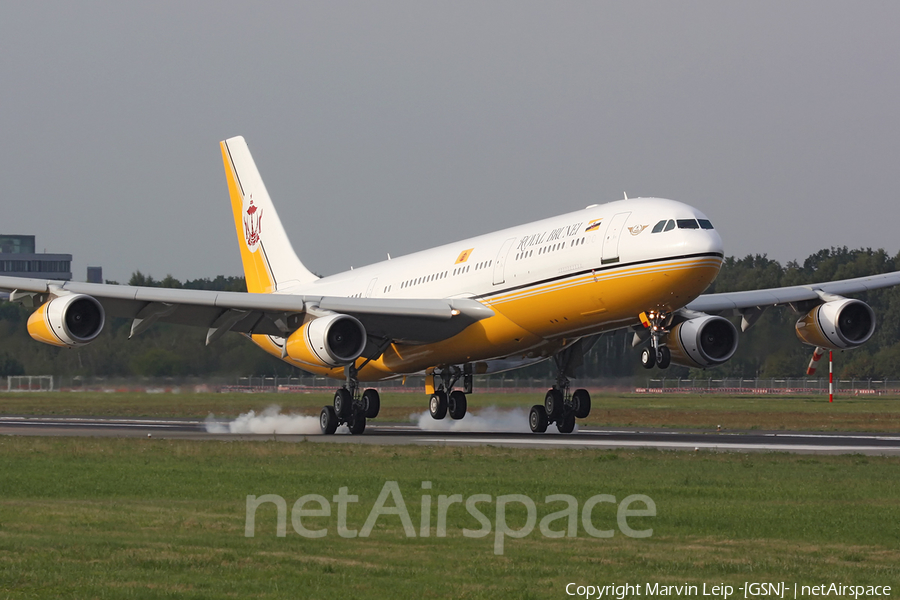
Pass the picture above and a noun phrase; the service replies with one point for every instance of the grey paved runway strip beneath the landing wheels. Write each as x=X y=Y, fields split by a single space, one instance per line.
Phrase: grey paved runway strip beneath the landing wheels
x=405 y=433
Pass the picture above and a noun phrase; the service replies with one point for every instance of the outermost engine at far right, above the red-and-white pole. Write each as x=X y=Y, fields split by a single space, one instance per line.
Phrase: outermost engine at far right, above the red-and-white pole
x=837 y=325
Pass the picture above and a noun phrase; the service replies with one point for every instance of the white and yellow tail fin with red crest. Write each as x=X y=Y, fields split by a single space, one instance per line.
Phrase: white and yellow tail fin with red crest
x=270 y=263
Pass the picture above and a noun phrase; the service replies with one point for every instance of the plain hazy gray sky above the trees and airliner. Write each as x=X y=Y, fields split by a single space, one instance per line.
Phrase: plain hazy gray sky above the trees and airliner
x=391 y=127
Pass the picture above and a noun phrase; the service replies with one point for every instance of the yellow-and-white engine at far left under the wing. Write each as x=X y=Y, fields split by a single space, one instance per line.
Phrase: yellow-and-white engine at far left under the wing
x=68 y=321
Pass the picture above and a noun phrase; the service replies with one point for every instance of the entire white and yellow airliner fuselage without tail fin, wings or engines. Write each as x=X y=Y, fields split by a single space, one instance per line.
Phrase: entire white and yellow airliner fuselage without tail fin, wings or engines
x=549 y=282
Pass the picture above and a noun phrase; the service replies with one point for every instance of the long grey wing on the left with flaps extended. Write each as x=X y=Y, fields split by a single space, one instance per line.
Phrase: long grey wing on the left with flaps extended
x=403 y=320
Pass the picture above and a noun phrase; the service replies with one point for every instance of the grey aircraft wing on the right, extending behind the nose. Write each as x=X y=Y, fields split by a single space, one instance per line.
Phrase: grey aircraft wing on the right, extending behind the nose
x=735 y=302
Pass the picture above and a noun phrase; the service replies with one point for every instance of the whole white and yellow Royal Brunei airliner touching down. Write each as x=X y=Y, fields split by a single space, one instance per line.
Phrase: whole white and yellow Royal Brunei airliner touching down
x=540 y=291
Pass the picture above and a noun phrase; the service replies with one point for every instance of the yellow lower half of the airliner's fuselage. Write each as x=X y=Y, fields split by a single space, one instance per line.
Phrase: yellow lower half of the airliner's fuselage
x=537 y=320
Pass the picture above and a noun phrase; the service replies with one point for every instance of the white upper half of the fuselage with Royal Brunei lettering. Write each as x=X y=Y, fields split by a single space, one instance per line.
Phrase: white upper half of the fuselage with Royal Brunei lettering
x=526 y=254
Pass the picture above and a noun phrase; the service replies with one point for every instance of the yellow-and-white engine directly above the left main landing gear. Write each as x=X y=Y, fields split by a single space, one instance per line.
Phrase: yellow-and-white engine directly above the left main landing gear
x=332 y=340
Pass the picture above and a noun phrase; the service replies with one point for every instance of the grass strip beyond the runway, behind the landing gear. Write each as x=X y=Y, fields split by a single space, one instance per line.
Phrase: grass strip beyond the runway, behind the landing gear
x=813 y=413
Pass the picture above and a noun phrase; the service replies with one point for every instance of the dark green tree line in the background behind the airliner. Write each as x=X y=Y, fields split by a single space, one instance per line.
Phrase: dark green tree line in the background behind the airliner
x=769 y=349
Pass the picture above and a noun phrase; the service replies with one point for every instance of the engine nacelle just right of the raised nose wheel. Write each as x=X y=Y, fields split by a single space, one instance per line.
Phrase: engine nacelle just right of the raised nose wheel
x=705 y=341
